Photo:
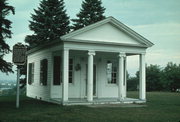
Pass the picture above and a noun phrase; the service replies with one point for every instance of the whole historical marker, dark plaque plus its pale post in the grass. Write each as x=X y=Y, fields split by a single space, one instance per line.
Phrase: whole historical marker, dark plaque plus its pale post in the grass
x=19 y=58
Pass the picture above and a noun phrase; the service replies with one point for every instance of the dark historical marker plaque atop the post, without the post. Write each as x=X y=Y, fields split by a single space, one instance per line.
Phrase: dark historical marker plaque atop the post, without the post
x=19 y=54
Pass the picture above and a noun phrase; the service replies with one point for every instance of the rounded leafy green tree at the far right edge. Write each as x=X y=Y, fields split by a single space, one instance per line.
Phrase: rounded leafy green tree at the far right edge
x=171 y=77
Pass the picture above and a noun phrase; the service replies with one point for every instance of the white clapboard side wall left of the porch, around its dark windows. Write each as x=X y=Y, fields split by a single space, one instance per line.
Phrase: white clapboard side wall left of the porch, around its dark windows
x=36 y=90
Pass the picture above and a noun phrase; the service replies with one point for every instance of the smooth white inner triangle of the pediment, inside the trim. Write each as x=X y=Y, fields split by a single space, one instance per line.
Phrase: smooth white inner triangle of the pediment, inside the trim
x=106 y=33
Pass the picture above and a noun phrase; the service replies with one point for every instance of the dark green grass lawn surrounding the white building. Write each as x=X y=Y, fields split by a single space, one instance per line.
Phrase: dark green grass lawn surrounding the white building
x=161 y=107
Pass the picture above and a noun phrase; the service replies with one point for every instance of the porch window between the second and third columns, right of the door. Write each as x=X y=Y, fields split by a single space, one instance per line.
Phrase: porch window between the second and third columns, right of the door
x=111 y=72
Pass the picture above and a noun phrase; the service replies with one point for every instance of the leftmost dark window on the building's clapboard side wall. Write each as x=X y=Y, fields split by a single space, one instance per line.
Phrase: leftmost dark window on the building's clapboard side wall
x=31 y=73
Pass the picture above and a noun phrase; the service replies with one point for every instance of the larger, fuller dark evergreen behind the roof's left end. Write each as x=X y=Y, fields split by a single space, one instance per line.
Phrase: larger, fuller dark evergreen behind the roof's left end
x=49 y=22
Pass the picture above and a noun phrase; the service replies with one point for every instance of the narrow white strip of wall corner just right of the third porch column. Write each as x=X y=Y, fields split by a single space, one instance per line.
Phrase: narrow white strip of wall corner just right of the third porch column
x=125 y=77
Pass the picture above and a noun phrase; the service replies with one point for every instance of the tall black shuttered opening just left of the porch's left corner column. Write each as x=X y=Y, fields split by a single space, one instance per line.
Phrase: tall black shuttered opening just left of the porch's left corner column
x=57 y=75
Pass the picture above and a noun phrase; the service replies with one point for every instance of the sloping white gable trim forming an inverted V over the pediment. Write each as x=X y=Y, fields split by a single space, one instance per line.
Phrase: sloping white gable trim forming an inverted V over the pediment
x=115 y=23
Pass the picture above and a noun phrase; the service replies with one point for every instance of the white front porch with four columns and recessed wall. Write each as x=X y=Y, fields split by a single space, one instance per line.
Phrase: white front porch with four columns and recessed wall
x=92 y=82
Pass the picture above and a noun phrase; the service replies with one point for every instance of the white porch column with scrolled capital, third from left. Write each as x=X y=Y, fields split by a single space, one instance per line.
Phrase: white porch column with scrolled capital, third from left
x=121 y=76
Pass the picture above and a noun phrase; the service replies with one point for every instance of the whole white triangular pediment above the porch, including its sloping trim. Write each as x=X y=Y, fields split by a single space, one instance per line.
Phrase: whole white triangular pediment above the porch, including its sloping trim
x=108 y=31
